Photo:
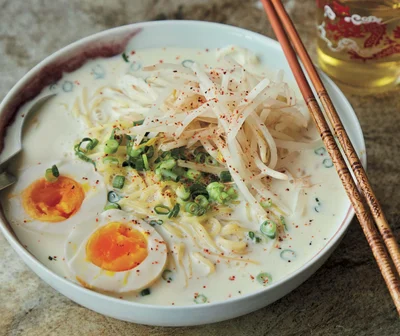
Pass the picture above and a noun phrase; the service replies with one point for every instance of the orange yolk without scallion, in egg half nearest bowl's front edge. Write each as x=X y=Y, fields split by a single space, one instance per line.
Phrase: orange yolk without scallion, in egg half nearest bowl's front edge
x=116 y=247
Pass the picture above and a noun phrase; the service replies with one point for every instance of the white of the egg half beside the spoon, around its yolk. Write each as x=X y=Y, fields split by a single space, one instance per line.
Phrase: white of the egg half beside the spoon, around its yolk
x=82 y=172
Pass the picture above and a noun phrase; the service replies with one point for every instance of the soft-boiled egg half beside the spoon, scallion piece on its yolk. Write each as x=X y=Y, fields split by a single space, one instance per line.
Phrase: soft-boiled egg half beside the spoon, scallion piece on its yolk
x=55 y=206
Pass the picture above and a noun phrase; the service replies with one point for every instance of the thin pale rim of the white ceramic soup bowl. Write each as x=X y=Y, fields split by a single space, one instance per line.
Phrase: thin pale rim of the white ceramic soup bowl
x=334 y=239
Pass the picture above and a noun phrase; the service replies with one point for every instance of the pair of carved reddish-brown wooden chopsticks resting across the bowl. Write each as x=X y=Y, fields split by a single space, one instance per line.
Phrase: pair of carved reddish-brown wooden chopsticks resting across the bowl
x=390 y=268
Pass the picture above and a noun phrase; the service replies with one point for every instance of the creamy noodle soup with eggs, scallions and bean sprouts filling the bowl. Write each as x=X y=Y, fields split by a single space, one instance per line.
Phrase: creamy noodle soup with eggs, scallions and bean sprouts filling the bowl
x=173 y=177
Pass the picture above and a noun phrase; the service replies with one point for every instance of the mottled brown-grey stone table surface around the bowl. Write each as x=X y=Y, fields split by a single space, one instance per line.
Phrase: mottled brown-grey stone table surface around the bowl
x=347 y=296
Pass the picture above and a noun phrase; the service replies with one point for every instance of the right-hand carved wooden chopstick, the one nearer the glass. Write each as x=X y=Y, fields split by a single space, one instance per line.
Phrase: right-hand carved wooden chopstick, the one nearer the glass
x=352 y=157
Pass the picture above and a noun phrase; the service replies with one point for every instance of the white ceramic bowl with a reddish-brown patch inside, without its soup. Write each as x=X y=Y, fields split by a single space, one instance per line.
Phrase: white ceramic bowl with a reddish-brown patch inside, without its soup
x=171 y=34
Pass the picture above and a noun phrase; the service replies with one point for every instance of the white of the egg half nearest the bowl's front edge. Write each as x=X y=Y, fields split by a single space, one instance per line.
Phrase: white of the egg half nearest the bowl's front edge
x=135 y=279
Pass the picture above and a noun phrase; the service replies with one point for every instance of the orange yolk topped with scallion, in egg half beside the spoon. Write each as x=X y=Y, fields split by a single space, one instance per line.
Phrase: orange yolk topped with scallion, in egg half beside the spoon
x=53 y=201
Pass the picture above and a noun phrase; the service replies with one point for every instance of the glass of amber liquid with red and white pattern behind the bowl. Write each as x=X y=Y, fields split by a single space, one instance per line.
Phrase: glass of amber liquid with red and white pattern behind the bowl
x=359 y=43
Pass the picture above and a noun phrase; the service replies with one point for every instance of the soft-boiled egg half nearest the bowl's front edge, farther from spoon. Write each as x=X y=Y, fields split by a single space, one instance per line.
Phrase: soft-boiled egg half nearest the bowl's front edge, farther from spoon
x=115 y=252
